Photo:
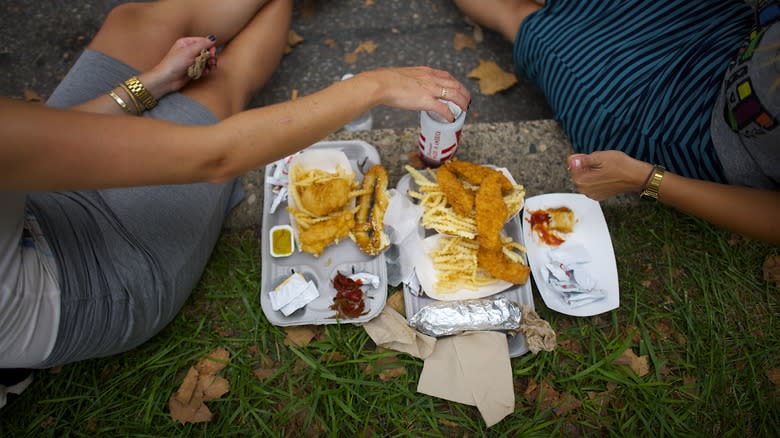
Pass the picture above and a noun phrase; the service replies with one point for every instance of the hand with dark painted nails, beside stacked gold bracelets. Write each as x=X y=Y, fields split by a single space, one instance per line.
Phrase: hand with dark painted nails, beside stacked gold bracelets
x=170 y=74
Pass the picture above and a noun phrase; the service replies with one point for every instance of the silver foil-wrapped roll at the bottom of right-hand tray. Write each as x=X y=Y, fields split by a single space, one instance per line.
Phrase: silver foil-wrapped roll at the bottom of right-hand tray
x=444 y=318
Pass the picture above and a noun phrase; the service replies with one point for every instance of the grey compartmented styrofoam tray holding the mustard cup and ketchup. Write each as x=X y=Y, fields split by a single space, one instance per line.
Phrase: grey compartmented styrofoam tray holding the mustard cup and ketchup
x=344 y=256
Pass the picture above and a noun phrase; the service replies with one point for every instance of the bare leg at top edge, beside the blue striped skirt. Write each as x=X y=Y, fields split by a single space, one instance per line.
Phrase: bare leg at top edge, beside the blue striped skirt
x=502 y=16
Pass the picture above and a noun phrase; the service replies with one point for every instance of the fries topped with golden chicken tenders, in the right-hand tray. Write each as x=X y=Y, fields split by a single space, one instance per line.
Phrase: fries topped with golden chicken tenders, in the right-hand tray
x=472 y=252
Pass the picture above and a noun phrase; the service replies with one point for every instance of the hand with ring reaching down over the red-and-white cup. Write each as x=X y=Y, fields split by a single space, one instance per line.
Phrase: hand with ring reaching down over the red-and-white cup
x=420 y=88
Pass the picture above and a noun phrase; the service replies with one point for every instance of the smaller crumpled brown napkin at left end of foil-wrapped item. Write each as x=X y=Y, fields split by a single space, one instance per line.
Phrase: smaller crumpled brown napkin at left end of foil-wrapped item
x=390 y=330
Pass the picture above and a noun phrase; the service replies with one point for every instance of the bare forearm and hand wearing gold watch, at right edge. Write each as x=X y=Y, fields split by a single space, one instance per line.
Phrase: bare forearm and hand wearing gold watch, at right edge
x=751 y=212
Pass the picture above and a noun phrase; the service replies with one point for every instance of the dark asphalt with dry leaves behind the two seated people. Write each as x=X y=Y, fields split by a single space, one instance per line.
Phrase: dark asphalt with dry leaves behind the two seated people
x=40 y=40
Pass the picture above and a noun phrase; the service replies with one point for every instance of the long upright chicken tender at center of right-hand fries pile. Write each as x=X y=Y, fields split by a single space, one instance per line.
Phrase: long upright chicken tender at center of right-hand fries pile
x=491 y=212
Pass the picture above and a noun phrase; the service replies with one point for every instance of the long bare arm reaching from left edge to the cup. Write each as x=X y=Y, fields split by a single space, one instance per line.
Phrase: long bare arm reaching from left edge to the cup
x=50 y=149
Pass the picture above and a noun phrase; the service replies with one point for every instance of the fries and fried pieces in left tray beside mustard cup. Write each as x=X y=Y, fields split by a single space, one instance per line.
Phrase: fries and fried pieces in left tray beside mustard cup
x=321 y=206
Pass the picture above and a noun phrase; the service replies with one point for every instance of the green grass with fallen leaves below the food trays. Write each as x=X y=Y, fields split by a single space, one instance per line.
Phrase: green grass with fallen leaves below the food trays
x=692 y=299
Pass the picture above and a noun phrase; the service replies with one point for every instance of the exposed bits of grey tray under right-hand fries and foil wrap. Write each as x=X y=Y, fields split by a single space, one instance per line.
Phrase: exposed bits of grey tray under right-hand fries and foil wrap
x=520 y=294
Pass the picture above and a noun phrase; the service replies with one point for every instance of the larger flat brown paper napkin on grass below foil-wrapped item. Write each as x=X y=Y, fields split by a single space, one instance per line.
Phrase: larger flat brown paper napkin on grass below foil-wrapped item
x=474 y=369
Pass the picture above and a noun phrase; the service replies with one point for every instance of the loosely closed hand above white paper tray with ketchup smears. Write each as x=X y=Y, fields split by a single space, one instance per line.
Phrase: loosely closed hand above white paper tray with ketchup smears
x=603 y=174
